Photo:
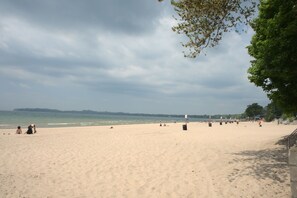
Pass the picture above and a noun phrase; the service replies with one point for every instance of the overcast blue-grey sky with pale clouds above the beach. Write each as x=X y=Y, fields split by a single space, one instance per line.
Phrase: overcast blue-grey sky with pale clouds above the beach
x=117 y=56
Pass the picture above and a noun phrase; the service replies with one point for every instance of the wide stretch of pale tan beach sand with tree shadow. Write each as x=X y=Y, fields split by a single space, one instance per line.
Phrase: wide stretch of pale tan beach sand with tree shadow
x=146 y=161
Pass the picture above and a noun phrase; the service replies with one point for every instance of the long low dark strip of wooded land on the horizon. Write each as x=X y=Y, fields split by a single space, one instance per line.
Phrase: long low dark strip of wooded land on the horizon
x=218 y=116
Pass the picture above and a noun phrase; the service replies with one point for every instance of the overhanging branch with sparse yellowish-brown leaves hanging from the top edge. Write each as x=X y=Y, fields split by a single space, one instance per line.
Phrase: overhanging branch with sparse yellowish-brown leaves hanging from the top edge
x=205 y=22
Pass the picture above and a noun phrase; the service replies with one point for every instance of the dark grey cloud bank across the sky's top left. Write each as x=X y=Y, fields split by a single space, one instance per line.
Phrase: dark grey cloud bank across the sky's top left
x=110 y=15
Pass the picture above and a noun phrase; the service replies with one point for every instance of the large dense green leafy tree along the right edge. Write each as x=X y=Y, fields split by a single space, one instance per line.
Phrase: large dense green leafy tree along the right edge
x=274 y=47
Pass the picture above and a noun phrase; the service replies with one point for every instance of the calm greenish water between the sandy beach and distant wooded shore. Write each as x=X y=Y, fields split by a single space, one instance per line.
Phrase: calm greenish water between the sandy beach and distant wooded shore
x=12 y=119
